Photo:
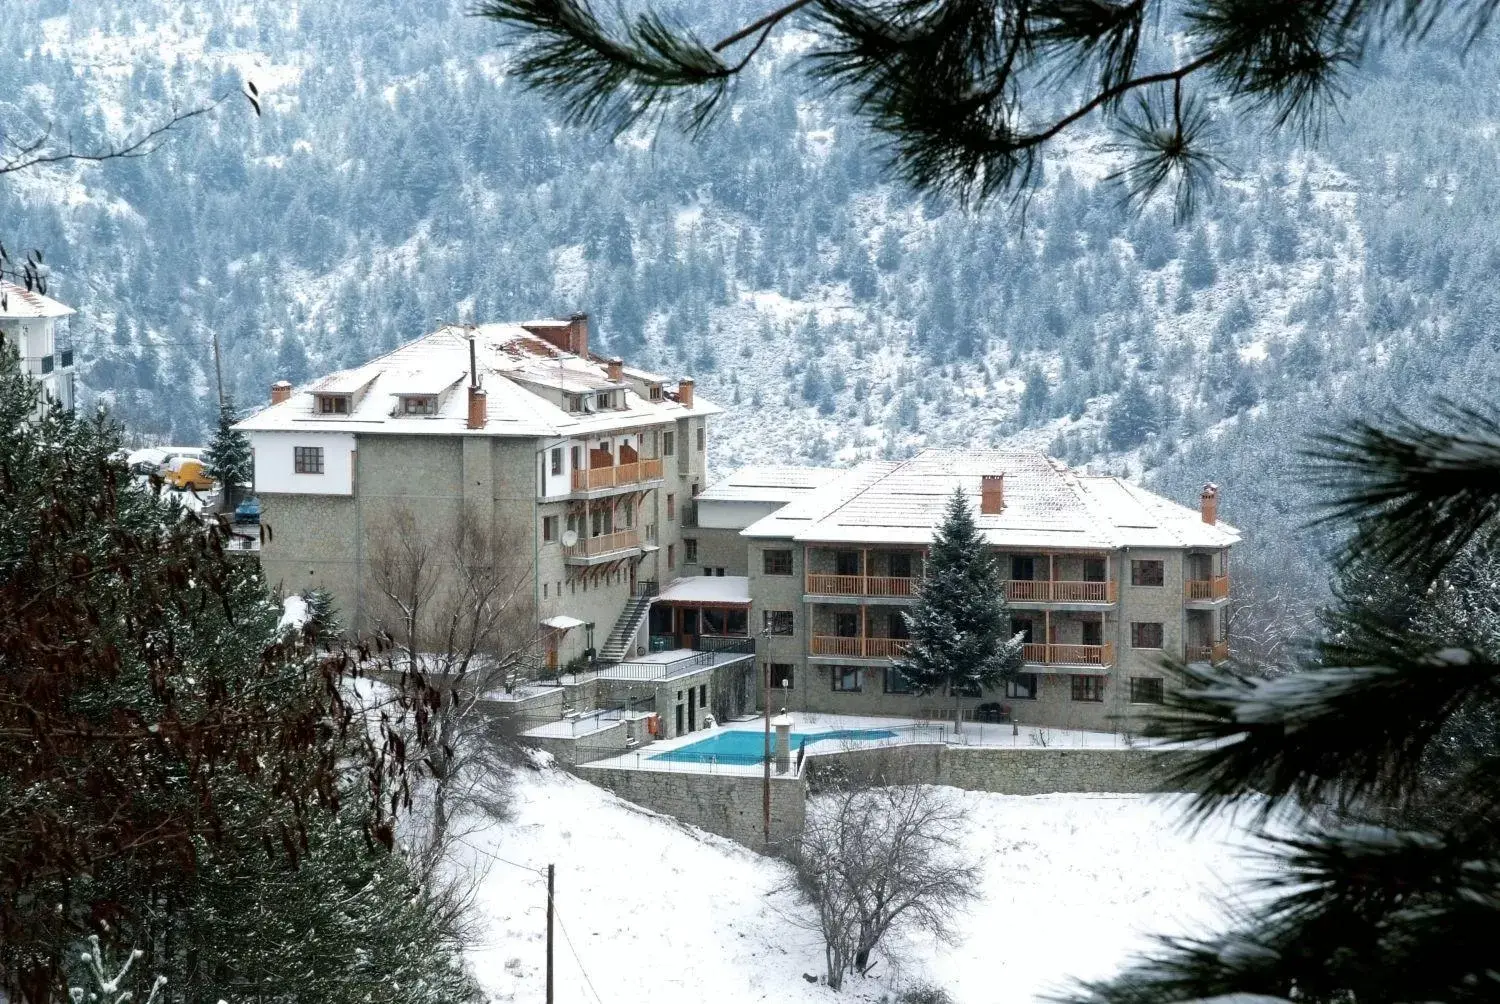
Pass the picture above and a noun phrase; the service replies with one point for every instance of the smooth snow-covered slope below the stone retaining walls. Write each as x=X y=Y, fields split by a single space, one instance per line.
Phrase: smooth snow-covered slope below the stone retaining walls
x=653 y=910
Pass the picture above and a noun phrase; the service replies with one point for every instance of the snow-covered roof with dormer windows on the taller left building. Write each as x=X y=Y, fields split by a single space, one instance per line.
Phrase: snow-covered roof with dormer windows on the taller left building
x=523 y=374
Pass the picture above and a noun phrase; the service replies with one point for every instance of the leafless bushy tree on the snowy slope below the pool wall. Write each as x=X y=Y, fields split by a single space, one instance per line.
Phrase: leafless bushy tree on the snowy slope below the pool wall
x=880 y=861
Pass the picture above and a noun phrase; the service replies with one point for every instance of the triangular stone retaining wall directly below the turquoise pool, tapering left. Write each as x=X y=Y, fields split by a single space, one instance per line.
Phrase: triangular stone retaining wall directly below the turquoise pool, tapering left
x=728 y=805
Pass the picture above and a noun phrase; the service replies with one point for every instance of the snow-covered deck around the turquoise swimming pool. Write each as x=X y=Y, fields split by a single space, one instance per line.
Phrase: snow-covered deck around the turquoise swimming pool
x=907 y=732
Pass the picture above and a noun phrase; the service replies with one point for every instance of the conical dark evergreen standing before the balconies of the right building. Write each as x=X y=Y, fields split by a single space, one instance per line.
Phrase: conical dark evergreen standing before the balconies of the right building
x=959 y=625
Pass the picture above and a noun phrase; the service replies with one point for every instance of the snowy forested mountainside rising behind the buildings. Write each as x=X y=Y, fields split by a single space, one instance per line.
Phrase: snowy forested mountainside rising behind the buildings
x=398 y=178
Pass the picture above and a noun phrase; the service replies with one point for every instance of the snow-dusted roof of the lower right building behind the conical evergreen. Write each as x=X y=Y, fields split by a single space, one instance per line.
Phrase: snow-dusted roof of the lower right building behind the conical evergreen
x=1046 y=507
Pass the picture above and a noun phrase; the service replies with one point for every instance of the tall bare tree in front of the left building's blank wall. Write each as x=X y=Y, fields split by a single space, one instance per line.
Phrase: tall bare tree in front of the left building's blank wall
x=458 y=610
